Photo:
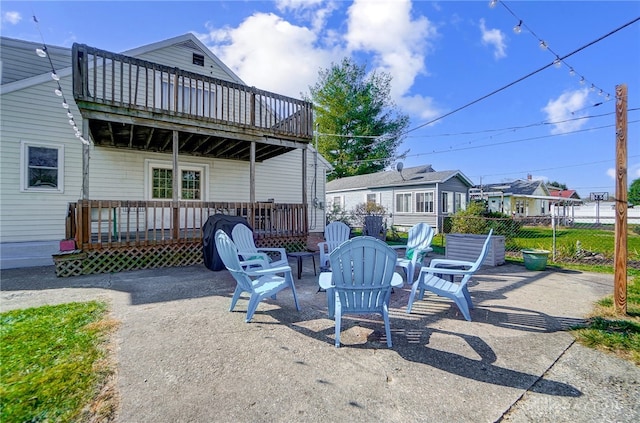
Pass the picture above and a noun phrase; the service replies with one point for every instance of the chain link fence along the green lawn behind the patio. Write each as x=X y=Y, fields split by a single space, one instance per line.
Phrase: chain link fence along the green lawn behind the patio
x=588 y=240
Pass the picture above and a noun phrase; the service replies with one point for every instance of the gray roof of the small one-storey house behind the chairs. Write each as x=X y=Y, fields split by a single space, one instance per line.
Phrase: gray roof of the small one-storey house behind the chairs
x=418 y=175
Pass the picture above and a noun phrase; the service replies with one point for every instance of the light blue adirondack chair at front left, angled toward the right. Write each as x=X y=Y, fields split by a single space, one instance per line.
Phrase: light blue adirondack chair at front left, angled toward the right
x=258 y=283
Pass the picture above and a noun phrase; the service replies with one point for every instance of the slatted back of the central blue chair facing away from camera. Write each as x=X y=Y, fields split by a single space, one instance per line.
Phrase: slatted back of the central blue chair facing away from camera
x=362 y=269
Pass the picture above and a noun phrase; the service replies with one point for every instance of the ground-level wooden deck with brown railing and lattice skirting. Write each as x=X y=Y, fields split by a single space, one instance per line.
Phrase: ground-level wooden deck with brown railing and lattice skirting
x=118 y=235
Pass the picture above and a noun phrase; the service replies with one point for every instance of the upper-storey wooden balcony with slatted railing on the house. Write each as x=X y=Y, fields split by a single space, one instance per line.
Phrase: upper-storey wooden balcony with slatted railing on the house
x=137 y=104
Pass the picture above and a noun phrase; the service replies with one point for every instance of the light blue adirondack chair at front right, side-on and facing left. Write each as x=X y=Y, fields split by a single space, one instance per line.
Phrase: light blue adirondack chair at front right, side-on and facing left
x=432 y=279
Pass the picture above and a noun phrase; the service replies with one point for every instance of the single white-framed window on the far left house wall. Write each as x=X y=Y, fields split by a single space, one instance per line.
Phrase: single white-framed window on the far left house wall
x=42 y=167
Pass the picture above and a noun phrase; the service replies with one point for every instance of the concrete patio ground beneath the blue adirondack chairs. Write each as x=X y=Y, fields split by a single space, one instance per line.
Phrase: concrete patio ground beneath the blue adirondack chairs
x=183 y=357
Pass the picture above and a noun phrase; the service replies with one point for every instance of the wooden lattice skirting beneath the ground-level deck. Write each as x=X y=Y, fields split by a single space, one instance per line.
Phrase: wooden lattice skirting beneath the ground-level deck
x=131 y=258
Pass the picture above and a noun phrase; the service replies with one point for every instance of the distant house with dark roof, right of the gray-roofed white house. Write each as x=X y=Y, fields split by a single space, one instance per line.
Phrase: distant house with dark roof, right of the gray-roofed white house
x=521 y=197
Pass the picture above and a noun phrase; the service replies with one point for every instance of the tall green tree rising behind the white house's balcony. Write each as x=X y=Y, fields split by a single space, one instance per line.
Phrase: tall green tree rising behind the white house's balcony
x=360 y=124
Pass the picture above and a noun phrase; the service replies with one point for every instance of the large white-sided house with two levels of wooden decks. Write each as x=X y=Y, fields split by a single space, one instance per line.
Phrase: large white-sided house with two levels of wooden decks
x=175 y=136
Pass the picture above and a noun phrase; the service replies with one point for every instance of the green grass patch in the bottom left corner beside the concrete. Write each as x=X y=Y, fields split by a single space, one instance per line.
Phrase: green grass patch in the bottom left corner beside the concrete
x=54 y=364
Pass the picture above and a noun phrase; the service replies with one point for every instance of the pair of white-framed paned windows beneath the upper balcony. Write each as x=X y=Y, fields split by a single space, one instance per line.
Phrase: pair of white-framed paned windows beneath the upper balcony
x=191 y=186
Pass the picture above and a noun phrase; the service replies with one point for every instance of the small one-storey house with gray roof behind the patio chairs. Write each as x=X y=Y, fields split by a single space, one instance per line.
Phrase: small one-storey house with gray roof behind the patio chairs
x=412 y=195
